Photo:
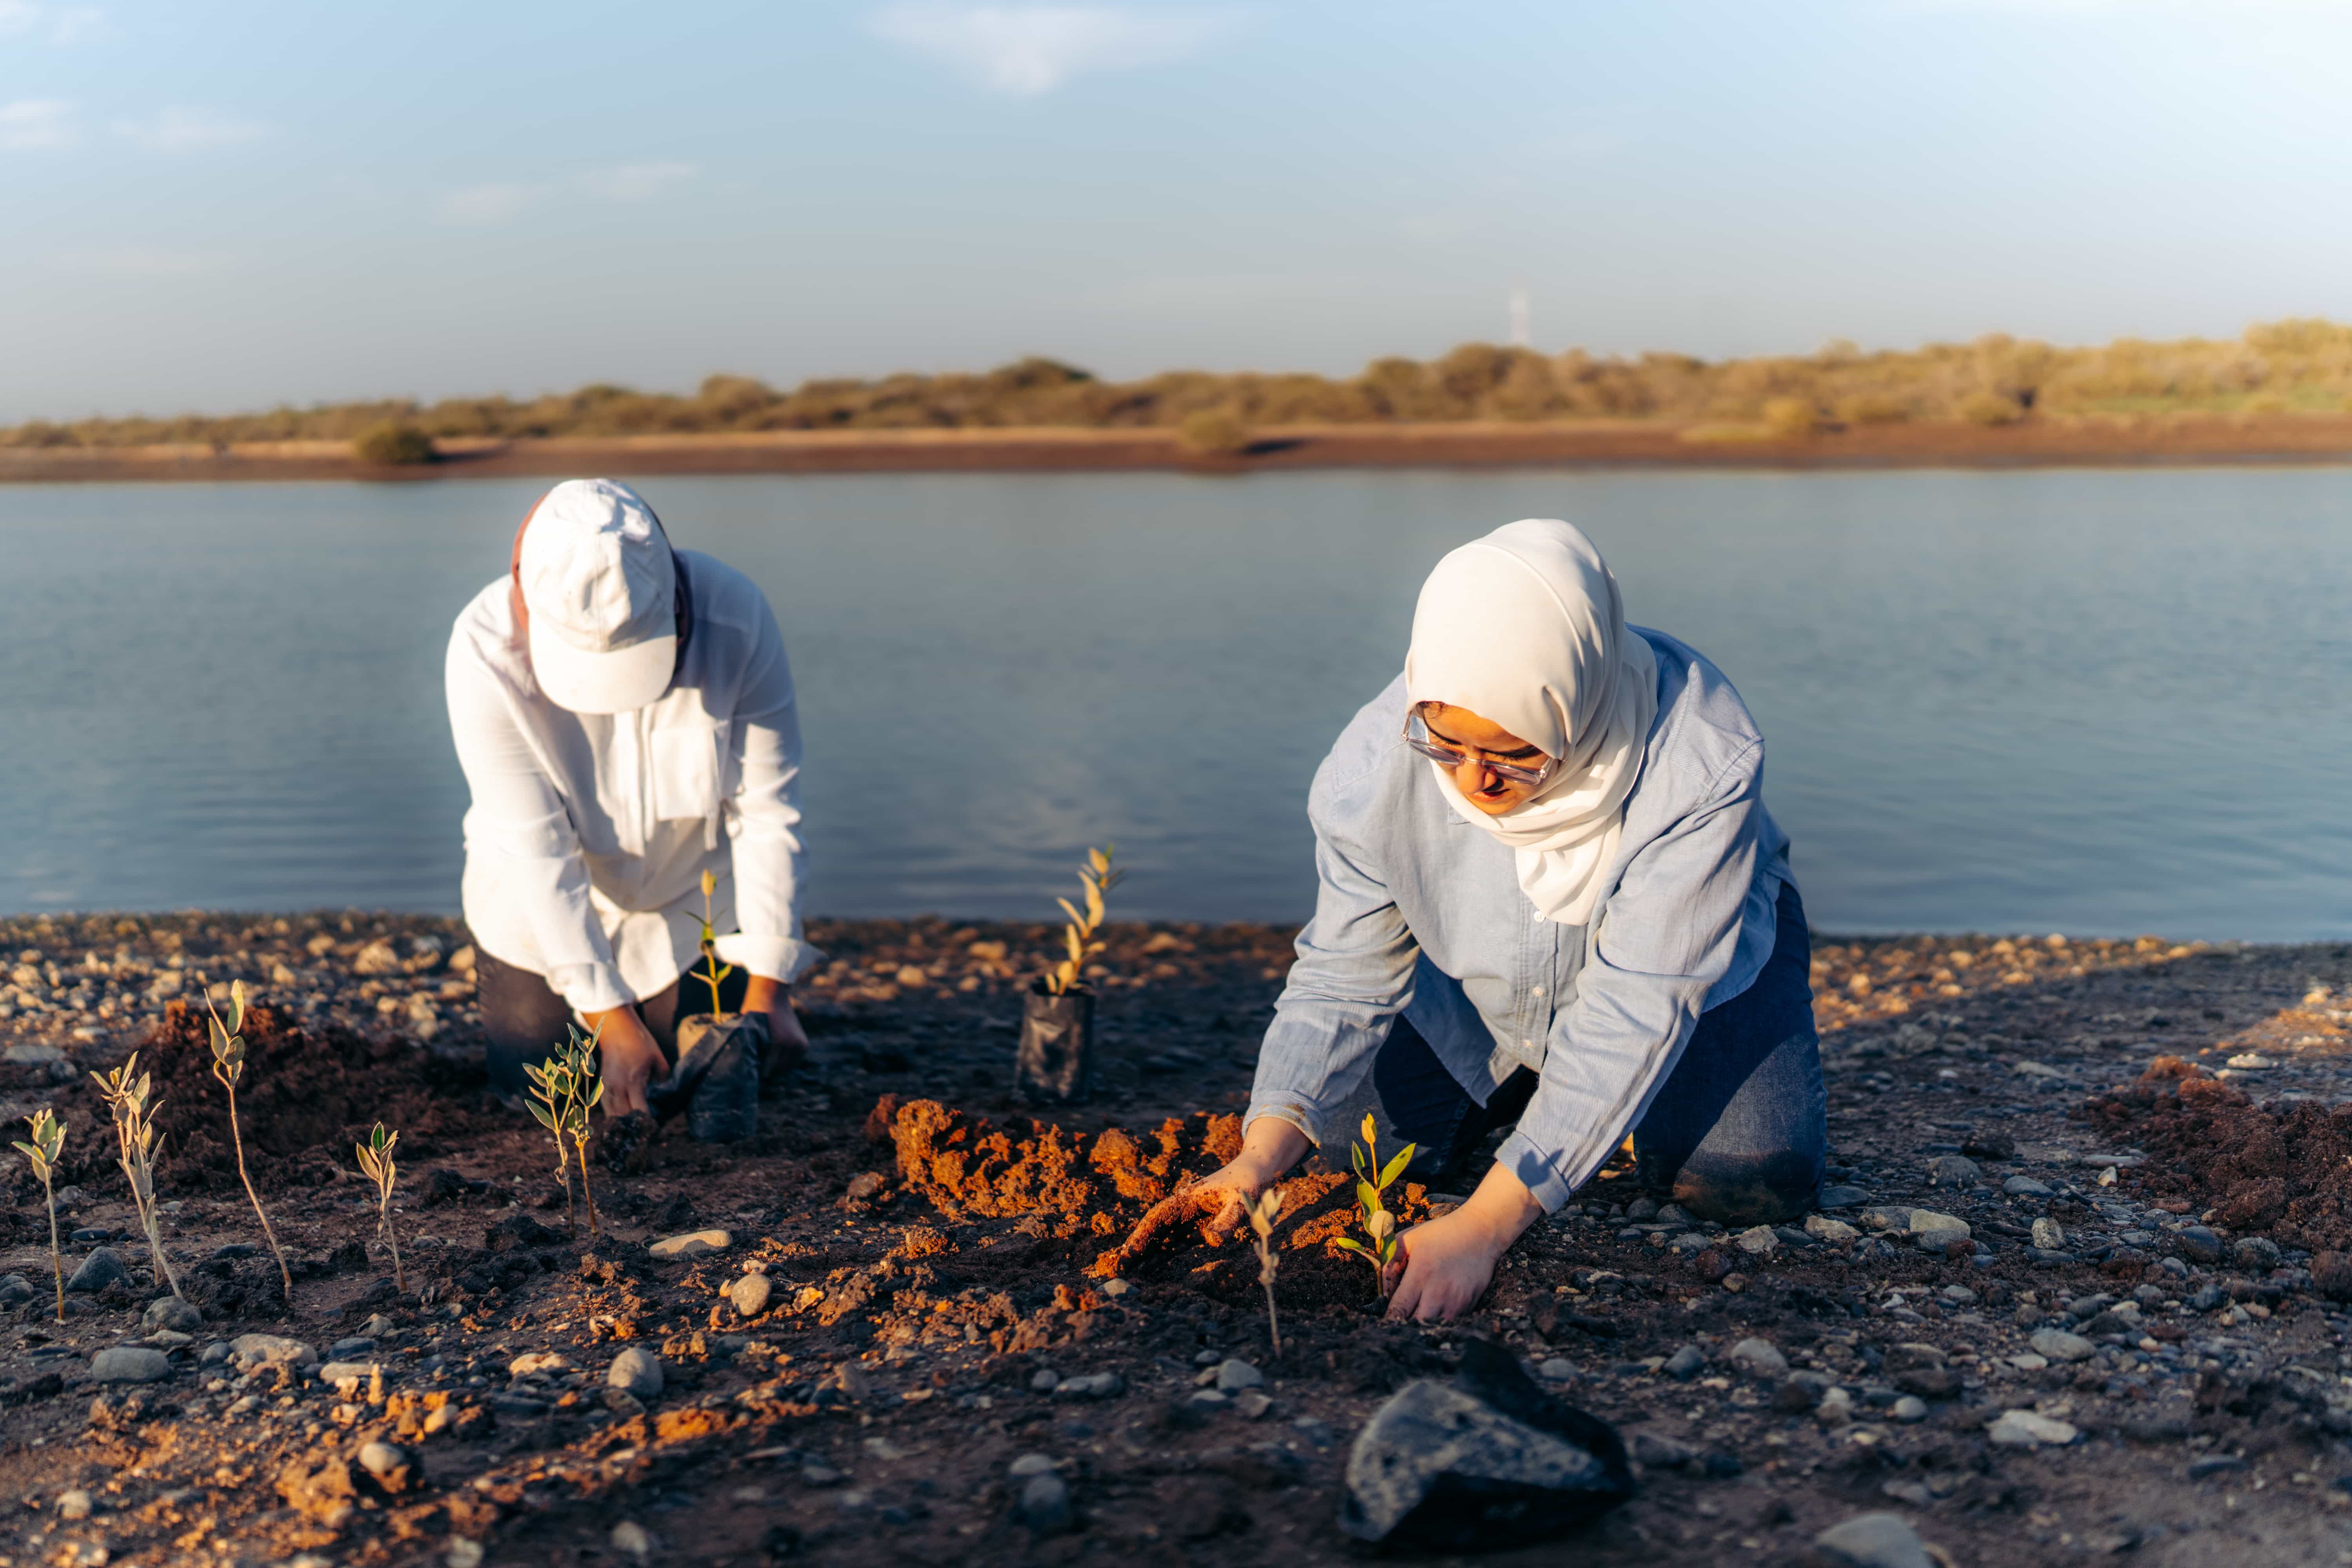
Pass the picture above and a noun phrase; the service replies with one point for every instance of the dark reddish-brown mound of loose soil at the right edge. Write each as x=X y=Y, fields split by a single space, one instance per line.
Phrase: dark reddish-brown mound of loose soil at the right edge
x=2280 y=1170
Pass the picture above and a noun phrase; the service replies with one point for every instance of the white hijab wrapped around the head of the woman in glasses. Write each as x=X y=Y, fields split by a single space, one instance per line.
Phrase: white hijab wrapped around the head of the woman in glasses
x=1525 y=629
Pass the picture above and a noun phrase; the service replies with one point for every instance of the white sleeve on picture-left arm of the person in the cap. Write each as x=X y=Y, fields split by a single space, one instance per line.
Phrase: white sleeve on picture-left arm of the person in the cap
x=521 y=819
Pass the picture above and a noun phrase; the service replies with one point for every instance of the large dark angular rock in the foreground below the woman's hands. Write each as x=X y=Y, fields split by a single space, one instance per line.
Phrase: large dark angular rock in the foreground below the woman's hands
x=1481 y=1463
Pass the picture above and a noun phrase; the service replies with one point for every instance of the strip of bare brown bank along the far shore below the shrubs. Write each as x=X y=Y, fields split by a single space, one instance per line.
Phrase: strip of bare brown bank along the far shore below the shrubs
x=2087 y=443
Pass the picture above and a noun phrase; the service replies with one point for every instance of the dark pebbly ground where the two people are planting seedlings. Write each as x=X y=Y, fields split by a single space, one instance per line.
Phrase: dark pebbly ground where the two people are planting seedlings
x=2040 y=1318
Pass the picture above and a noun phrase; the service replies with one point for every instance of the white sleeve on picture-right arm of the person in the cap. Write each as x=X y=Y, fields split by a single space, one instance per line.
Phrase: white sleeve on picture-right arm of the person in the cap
x=763 y=817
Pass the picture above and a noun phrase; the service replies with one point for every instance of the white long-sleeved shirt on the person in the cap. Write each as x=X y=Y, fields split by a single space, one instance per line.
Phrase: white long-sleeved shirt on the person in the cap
x=589 y=833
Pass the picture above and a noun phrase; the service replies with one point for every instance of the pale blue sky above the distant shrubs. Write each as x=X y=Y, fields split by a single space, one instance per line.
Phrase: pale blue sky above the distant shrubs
x=239 y=203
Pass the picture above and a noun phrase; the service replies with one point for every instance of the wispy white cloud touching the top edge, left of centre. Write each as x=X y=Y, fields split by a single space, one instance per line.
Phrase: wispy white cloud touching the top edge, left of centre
x=1029 y=51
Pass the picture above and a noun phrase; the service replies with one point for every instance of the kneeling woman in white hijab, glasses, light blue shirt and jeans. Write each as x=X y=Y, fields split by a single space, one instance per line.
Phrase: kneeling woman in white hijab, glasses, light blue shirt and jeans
x=1551 y=894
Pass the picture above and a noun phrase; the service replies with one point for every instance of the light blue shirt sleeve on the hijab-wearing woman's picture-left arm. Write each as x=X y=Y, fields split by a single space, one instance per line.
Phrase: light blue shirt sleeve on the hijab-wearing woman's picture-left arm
x=1354 y=974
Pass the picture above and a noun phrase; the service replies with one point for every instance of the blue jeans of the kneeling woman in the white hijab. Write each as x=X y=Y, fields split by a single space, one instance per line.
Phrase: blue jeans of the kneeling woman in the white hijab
x=1737 y=1134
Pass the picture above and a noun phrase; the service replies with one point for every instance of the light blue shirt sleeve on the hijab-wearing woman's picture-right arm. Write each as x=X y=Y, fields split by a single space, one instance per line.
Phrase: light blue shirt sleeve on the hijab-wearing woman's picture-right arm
x=1664 y=942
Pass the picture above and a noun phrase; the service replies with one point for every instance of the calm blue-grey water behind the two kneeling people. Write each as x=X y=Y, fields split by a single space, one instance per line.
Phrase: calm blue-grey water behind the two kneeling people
x=2050 y=702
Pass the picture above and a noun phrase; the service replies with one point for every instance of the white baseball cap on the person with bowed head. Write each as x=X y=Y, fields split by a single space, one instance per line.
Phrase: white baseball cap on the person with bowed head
x=603 y=598
